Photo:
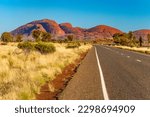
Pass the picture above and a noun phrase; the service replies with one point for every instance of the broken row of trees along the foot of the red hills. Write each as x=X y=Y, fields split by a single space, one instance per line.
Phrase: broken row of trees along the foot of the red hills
x=126 y=39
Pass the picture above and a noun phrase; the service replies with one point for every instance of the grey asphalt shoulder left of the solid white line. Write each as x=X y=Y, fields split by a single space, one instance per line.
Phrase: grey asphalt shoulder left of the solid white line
x=85 y=84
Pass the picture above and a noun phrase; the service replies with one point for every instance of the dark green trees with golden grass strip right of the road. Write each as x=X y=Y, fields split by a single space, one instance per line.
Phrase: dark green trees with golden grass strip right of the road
x=130 y=42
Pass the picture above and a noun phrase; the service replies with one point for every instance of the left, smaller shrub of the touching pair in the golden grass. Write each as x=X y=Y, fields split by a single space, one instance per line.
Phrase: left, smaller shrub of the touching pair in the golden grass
x=26 y=46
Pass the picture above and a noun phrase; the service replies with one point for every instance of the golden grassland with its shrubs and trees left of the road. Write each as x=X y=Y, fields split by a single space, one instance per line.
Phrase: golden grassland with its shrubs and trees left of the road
x=26 y=65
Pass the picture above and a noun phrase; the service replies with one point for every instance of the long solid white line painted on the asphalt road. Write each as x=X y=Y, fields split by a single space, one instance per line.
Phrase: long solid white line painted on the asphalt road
x=105 y=94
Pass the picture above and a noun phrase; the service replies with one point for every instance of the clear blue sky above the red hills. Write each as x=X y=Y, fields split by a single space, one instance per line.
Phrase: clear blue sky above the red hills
x=123 y=14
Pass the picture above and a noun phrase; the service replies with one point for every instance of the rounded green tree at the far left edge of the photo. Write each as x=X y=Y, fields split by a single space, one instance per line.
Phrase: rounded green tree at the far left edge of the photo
x=7 y=37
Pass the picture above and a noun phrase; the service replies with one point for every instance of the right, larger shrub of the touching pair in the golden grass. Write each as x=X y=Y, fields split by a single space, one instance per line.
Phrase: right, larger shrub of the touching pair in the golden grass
x=45 y=47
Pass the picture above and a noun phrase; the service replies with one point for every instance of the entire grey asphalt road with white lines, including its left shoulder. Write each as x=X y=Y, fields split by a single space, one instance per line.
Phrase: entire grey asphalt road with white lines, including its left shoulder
x=110 y=73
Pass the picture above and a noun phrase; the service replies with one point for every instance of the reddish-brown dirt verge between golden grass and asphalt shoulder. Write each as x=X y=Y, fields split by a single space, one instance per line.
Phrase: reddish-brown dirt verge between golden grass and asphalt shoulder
x=52 y=90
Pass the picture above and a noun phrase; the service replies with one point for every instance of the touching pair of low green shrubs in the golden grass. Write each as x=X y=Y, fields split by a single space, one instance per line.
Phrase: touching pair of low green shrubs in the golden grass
x=40 y=46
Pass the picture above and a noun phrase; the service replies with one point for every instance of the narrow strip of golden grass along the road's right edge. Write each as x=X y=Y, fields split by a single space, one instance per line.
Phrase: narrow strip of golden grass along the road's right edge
x=139 y=49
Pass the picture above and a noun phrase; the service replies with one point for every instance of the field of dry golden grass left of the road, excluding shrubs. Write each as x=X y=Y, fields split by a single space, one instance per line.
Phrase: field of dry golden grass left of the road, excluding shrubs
x=22 y=74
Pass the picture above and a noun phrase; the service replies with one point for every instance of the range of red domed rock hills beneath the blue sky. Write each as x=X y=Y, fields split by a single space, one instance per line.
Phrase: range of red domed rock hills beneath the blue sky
x=63 y=29
